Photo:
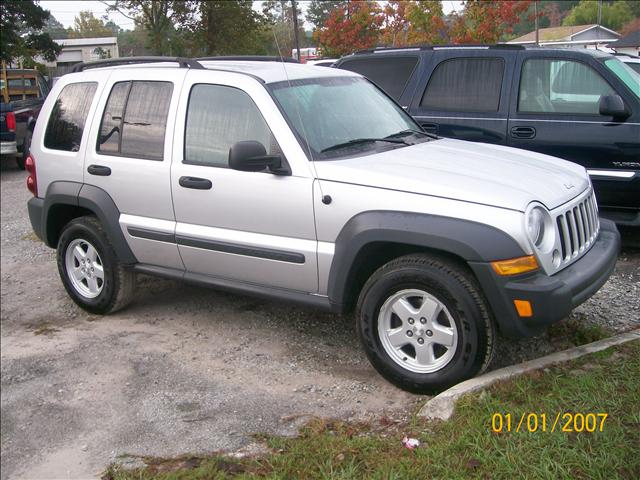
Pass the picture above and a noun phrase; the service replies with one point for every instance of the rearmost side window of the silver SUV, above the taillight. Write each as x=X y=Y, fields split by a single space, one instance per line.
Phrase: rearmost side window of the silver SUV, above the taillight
x=68 y=117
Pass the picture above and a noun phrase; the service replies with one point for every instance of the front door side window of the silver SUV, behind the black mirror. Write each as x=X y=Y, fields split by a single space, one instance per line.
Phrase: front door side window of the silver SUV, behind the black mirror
x=217 y=117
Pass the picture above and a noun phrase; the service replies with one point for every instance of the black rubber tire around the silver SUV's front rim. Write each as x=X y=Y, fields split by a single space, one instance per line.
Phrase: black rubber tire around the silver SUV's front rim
x=445 y=283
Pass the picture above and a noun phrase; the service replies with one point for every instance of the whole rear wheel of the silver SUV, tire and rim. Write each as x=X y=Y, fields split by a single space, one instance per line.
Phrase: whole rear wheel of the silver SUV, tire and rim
x=89 y=268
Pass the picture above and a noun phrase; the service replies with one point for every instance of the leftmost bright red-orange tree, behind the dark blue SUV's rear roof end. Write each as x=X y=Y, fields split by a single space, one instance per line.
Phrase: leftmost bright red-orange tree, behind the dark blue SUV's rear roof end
x=351 y=27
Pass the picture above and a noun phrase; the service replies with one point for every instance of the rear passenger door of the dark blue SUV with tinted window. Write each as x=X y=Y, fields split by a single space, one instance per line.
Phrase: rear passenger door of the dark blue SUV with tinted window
x=464 y=94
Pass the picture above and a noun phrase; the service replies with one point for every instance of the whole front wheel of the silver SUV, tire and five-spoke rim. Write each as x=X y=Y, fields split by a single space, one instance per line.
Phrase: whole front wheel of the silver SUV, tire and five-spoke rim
x=423 y=323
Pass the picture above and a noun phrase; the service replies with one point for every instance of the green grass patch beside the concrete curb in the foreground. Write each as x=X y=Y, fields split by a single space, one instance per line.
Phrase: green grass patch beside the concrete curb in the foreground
x=464 y=447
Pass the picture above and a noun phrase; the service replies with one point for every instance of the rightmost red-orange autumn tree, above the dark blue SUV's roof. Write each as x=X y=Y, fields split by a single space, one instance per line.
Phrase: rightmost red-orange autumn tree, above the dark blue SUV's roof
x=485 y=22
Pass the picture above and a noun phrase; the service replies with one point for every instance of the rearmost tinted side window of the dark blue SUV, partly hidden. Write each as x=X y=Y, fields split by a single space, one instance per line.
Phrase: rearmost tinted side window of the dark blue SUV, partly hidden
x=390 y=73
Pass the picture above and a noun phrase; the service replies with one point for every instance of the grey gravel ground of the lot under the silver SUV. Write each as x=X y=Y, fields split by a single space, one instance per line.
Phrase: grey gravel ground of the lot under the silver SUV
x=186 y=369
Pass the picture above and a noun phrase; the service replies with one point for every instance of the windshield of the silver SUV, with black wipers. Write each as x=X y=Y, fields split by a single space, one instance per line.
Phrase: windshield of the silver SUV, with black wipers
x=344 y=116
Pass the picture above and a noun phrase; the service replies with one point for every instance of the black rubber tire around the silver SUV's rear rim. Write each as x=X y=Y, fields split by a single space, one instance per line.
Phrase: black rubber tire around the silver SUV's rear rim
x=117 y=287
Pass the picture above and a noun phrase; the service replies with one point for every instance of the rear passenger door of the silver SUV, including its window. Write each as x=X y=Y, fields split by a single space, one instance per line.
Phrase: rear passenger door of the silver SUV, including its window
x=129 y=157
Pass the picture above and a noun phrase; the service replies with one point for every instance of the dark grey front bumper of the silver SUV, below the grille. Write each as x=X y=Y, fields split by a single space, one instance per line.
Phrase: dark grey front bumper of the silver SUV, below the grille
x=552 y=297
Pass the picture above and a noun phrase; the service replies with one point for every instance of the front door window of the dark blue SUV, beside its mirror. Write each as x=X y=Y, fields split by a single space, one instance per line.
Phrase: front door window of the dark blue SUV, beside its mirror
x=560 y=86
